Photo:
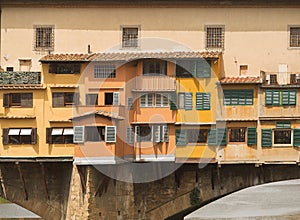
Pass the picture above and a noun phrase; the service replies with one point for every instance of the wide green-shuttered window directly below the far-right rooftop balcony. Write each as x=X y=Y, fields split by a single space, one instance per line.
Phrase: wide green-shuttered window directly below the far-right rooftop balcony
x=280 y=97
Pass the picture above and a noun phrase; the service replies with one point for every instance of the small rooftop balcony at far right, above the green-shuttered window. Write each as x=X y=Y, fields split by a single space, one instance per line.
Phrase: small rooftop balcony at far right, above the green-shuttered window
x=274 y=79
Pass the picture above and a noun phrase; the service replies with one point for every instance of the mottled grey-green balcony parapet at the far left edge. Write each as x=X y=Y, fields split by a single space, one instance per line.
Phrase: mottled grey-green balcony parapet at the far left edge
x=20 y=78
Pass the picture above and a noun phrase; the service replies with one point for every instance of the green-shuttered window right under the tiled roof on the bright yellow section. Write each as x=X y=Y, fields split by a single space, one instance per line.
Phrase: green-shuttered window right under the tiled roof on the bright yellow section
x=199 y=68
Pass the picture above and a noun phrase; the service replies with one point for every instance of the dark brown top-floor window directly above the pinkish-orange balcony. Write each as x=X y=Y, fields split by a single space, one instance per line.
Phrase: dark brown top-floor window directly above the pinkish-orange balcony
x=151 y=67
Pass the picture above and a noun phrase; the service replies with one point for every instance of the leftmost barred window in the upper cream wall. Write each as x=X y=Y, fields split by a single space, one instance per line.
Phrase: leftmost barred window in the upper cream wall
x=44 y=38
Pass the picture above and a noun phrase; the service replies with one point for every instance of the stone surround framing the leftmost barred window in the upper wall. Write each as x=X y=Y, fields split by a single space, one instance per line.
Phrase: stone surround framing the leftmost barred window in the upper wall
x=37 y=45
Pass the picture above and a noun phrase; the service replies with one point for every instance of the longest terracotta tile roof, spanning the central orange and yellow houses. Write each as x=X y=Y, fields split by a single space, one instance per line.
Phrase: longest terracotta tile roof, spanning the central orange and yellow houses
x=127 y=56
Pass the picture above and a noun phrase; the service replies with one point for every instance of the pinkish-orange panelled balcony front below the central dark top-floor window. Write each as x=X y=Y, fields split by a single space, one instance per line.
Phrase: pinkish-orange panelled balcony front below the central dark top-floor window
x=155 y=83
